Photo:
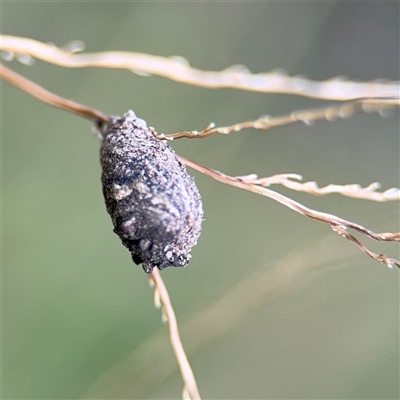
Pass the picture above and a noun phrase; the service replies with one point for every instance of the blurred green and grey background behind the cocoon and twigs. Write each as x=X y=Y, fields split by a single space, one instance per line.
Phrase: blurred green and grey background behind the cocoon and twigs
x=78 y=316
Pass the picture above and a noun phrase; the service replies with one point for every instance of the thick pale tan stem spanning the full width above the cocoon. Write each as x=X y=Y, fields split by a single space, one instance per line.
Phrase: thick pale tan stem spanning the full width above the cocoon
x=178 y=69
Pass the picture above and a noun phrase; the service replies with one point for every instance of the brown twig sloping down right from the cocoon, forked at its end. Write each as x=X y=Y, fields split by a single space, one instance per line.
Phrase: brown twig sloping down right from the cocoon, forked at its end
x=338 y=225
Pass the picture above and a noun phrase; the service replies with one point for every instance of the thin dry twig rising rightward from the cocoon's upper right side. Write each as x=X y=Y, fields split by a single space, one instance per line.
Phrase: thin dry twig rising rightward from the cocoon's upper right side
x=306 y=116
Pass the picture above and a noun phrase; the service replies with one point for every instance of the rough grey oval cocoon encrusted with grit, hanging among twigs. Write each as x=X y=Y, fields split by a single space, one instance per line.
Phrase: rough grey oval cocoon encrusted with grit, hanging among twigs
x=154 y=204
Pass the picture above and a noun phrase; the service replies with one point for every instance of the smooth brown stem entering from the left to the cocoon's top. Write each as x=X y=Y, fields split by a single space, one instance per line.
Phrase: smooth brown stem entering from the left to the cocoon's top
x=50 y=98
